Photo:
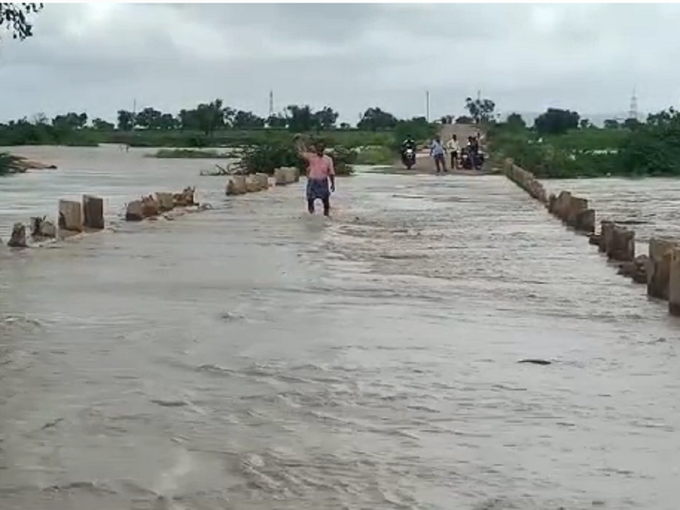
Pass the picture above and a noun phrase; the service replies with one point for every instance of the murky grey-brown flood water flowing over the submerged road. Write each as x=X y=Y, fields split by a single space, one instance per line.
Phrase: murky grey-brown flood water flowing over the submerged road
x=251 y=357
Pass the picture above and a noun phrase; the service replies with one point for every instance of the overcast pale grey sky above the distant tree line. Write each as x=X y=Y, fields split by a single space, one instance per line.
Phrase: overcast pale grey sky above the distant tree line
x=101 y=57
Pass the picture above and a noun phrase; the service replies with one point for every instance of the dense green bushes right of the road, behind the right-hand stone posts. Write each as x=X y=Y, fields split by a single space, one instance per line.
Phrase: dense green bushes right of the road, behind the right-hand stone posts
x=562 y=145
